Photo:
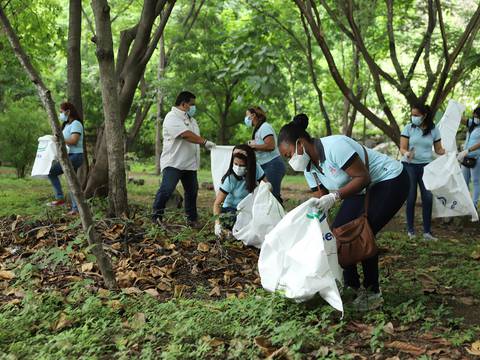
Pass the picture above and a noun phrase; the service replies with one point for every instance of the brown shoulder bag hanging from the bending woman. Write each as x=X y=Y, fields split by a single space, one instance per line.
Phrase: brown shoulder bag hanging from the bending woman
x=355 y=239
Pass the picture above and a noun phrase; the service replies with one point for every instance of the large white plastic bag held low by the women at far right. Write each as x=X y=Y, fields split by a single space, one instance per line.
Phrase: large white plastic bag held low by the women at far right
x=444 y=178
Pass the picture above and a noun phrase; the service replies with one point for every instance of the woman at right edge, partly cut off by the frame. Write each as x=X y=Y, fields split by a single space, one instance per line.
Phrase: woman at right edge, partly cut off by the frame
x=471 y=150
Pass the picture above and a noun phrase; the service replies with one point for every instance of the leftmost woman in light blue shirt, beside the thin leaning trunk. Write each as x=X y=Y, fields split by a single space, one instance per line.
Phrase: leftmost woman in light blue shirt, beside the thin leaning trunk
x=72 y=128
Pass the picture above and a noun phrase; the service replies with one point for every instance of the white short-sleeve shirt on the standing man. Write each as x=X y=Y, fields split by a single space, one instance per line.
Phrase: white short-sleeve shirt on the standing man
x=177 y=152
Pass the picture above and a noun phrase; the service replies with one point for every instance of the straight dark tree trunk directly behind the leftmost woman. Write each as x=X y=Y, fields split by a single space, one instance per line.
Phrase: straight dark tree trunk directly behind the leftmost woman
x=74 y=74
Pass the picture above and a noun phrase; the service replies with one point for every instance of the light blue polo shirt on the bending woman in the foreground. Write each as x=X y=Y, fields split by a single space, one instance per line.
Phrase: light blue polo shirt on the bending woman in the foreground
x=337 y=151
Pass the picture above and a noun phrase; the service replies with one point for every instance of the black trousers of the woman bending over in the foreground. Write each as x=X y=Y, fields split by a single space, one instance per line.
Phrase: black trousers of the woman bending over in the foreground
x=386 y=198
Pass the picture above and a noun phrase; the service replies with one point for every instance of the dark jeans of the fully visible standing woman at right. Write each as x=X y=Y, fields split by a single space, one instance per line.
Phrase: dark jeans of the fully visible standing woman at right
x=415 y=174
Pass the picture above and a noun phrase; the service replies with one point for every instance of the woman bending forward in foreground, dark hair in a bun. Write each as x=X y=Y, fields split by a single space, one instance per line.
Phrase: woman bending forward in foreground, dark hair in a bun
x=335 y=170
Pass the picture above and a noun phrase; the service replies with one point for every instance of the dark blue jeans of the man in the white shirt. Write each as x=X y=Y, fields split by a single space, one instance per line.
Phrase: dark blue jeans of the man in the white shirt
x=170 y=178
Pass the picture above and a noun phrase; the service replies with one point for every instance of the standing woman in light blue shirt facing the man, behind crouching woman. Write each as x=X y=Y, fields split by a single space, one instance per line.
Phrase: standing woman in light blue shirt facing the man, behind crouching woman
x=264 y=142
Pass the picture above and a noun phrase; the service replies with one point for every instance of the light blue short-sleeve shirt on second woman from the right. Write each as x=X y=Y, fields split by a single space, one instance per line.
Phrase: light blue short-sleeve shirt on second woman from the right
x=422 y=145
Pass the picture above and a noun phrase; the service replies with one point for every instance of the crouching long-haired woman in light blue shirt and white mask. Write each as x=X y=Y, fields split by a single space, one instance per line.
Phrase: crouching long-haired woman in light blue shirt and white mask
x=241 y=179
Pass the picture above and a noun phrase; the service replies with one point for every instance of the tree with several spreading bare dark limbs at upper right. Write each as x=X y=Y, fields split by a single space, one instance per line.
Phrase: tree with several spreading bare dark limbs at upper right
x=451 y=67
